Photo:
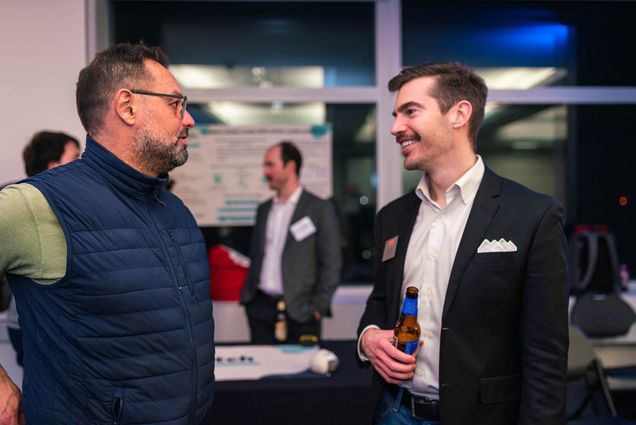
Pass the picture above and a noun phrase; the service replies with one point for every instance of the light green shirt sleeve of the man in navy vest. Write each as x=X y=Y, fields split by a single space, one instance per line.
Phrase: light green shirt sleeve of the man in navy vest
x=32 y=243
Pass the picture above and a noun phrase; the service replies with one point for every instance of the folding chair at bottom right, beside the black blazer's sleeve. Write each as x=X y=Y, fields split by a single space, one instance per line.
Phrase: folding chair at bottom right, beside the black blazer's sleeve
x=583 y=365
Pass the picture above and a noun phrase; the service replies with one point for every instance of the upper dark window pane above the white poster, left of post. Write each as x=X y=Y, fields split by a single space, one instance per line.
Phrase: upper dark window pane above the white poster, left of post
x=258 y=43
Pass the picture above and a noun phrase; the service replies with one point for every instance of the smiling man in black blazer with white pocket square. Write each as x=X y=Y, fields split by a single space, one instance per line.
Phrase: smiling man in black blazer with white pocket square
x=489 y=258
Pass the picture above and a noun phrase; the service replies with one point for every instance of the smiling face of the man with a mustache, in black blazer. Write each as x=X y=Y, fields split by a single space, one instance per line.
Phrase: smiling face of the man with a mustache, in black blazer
x=422 y=130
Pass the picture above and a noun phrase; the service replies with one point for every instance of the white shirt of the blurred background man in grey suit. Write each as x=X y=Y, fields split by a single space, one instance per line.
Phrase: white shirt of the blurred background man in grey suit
x=278 y=221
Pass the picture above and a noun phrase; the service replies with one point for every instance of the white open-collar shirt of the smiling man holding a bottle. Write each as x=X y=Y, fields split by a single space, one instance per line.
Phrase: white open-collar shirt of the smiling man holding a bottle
x=429 y=260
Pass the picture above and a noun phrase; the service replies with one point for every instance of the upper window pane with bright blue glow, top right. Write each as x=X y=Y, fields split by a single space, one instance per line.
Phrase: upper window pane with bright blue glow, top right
x=562 y=43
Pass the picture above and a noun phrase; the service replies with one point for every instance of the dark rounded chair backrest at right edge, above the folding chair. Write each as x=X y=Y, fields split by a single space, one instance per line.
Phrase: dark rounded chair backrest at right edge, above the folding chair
x=602 y=315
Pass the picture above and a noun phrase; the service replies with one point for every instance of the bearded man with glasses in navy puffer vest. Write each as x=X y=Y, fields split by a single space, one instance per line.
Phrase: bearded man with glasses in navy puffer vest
x=109 y=270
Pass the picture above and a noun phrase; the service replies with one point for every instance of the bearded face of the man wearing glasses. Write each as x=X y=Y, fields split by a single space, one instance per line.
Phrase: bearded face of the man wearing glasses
x=161 y=142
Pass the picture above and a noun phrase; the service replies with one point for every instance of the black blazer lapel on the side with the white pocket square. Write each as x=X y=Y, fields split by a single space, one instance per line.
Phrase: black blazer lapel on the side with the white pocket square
x=481 y=214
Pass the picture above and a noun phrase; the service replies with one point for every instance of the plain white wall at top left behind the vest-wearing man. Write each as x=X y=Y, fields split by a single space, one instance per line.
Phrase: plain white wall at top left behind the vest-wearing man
x=42 y=49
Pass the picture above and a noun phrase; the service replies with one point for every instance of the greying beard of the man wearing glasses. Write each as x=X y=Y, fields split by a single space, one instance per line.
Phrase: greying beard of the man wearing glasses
x=156 y=156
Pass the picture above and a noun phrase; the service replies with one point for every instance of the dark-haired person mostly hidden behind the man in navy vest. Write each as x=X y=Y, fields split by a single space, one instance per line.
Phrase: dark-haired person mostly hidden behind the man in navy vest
x=46 y=150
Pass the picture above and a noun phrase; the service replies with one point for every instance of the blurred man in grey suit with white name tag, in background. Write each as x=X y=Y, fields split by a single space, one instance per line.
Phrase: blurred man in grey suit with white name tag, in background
x=295 y=254
